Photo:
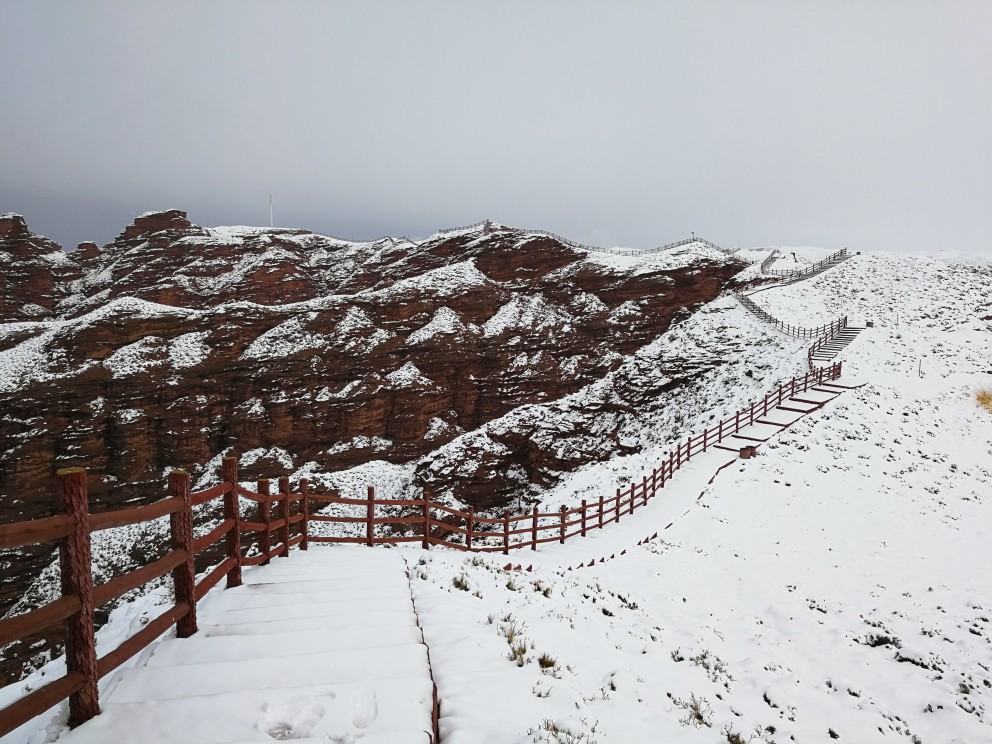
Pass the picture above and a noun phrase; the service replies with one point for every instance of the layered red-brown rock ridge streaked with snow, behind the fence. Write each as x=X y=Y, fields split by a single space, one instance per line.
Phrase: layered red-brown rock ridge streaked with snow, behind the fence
x=174 y=343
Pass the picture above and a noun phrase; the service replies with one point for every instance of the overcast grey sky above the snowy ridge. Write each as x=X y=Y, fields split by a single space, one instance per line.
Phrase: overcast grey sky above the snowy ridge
x=865 y=123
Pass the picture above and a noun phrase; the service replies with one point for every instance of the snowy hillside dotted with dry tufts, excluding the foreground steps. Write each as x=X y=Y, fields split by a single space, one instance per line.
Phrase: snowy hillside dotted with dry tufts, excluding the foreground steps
x=837 y=586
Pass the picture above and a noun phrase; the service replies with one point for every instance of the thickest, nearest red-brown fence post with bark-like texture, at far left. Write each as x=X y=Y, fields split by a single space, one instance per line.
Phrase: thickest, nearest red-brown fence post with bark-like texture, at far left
x=77 y=580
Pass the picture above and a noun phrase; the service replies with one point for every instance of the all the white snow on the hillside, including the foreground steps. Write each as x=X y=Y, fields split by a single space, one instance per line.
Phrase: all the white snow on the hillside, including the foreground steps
x=835 y=587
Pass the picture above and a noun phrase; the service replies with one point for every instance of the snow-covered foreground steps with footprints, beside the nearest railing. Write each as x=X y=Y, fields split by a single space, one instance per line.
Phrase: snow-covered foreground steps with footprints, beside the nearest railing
x=321 y=646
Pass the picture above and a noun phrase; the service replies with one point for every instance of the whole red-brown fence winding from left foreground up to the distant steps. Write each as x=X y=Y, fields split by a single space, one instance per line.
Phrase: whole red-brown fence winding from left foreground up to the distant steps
x=279 y=522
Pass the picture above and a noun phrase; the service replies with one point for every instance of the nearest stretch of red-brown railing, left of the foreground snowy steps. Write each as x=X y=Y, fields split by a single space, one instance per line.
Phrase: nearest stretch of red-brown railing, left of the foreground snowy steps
x=72 y=529
